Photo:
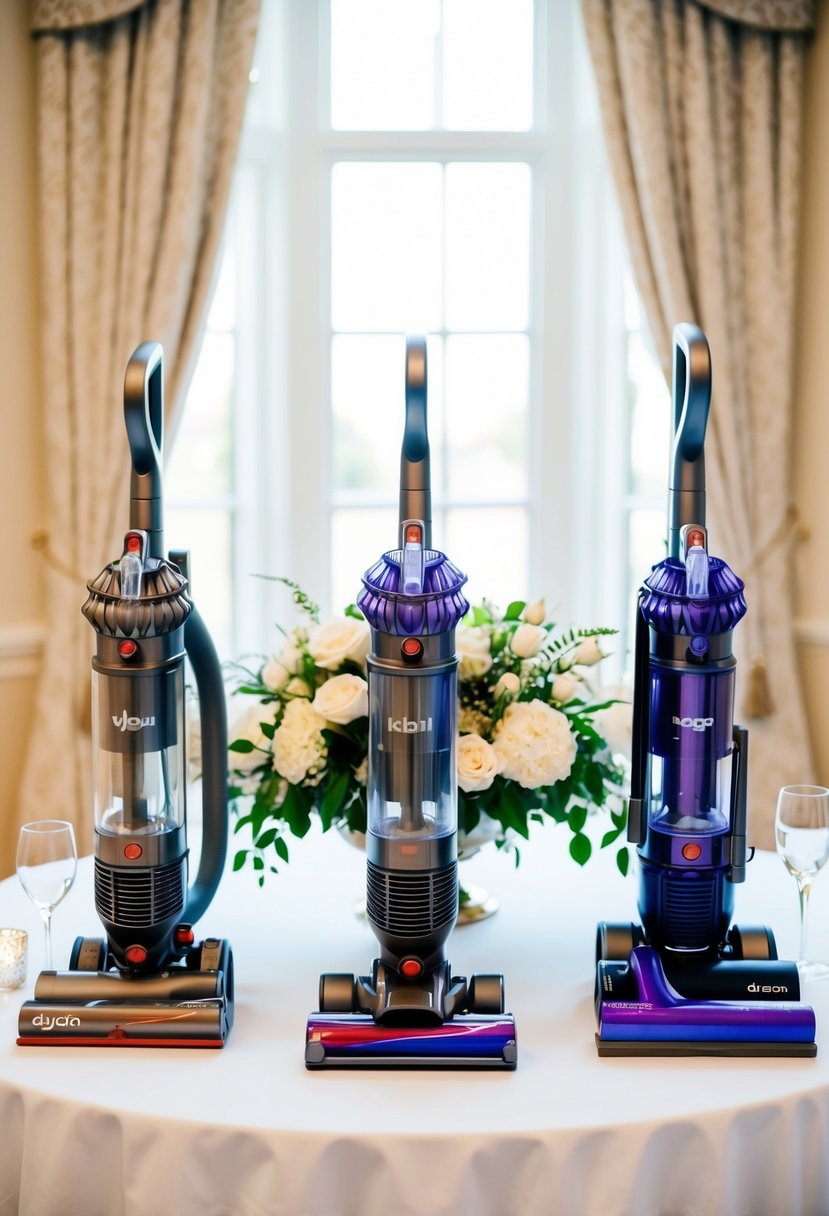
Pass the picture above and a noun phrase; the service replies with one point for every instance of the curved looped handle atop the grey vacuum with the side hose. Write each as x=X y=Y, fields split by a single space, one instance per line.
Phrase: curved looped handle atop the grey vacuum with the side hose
x=144 y=414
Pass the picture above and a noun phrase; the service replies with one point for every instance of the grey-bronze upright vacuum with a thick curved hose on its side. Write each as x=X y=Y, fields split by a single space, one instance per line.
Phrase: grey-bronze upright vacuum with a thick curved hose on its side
x=150 y=982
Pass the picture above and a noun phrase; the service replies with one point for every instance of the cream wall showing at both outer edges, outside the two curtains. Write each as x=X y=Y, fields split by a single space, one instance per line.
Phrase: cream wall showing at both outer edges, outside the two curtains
x=22 y=482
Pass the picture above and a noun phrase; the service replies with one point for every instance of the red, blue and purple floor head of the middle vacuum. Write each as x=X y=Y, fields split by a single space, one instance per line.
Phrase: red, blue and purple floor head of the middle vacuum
x=354 y=1040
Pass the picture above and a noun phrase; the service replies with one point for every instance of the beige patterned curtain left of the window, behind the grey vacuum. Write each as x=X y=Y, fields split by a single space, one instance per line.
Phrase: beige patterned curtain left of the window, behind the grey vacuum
x=140 y=106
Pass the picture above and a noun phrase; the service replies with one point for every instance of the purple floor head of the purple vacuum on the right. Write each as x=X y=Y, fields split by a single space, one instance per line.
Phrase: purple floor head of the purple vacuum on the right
x=661 y=1022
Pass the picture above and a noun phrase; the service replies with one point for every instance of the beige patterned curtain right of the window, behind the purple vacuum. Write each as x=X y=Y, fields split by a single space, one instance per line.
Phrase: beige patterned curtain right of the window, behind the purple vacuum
x=702 y=110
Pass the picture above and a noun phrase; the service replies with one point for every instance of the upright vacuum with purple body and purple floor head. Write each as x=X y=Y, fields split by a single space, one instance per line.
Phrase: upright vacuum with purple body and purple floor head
x=683 y=982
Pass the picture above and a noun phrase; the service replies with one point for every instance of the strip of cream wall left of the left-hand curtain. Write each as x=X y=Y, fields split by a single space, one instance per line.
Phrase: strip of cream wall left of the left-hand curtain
x=22 y=485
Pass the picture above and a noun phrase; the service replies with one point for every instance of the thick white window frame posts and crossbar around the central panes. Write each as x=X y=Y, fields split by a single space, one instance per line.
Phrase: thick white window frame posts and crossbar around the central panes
x=578 y=415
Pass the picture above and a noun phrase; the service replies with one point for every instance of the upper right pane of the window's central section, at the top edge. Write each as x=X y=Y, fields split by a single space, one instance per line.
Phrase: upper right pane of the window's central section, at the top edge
x=488 y=65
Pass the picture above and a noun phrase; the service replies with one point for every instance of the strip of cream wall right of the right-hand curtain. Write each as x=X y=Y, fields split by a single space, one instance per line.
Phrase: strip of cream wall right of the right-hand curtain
x=811 y=430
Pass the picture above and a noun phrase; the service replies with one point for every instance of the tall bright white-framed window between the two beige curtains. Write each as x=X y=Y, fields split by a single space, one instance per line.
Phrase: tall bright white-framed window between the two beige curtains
x=426 y=166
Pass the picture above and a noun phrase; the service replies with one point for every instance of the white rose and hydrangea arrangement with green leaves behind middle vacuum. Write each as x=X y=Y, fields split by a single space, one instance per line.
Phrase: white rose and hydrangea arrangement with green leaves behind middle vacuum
x=531 y=744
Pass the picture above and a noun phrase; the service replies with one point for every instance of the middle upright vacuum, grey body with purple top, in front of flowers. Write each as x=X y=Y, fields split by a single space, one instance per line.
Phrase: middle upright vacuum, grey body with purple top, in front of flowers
x=411 y=1012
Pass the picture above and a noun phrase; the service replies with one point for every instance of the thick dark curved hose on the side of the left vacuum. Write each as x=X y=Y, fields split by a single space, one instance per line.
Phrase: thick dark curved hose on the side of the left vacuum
x=213 y=712
